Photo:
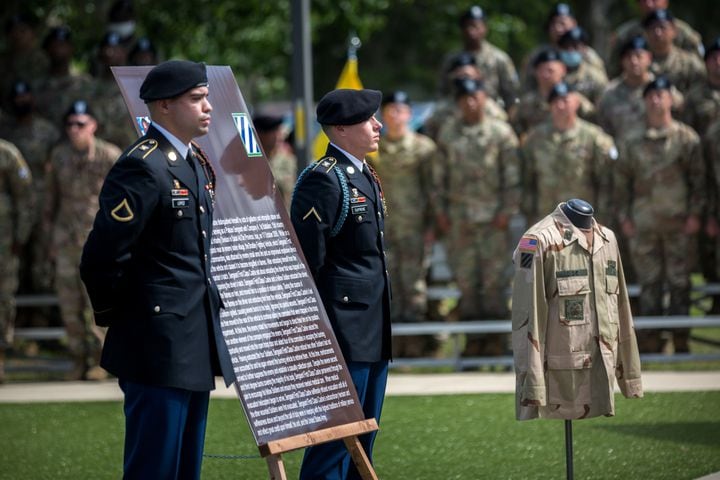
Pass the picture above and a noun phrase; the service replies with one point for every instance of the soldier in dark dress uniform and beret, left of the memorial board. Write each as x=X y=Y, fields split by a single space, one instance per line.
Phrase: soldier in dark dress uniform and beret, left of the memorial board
x=146 y=266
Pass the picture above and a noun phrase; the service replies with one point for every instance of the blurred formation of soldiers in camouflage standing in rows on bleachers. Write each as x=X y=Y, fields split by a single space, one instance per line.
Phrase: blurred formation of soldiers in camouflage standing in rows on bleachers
x=636 y=134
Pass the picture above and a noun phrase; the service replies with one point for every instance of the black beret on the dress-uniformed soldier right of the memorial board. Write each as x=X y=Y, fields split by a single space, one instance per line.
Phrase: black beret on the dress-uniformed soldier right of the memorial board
x=347 y=107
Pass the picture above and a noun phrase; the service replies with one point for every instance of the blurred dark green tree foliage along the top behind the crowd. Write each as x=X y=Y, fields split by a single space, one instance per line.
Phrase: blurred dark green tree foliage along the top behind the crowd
x=404 y=41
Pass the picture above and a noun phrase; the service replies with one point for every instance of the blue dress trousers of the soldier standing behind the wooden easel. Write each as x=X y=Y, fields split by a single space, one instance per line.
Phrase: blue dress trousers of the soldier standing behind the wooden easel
x=332 y=461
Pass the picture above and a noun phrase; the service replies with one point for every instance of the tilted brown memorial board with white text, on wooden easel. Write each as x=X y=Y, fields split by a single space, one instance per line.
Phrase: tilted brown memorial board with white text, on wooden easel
x=290 y=375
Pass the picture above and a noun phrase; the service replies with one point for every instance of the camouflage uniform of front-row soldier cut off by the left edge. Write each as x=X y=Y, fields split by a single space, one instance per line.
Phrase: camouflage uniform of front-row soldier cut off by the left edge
x=15 y=224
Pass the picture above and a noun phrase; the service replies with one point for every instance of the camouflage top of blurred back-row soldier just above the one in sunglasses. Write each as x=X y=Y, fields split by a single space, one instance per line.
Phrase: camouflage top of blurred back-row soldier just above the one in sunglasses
x=55 y=94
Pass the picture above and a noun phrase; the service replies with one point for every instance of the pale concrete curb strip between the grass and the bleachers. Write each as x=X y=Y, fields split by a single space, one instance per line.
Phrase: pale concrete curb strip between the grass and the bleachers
x=398 y=384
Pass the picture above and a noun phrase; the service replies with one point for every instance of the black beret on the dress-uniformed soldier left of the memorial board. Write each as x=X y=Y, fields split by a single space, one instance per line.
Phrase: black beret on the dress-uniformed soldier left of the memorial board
x=172 y=78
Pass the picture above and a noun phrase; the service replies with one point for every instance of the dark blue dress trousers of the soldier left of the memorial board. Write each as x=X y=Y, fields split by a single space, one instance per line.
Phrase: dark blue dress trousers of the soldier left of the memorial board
x=164 y=432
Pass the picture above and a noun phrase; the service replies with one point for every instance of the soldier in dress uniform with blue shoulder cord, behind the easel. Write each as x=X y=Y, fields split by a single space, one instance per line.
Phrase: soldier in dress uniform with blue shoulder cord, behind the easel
x=338 y=211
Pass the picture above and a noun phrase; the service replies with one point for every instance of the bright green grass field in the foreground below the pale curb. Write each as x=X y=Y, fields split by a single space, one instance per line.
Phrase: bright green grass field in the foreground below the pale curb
x=662 y=436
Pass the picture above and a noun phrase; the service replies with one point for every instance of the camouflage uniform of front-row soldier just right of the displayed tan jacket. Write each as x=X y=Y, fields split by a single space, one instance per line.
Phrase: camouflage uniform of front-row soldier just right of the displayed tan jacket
x=660 y=181
